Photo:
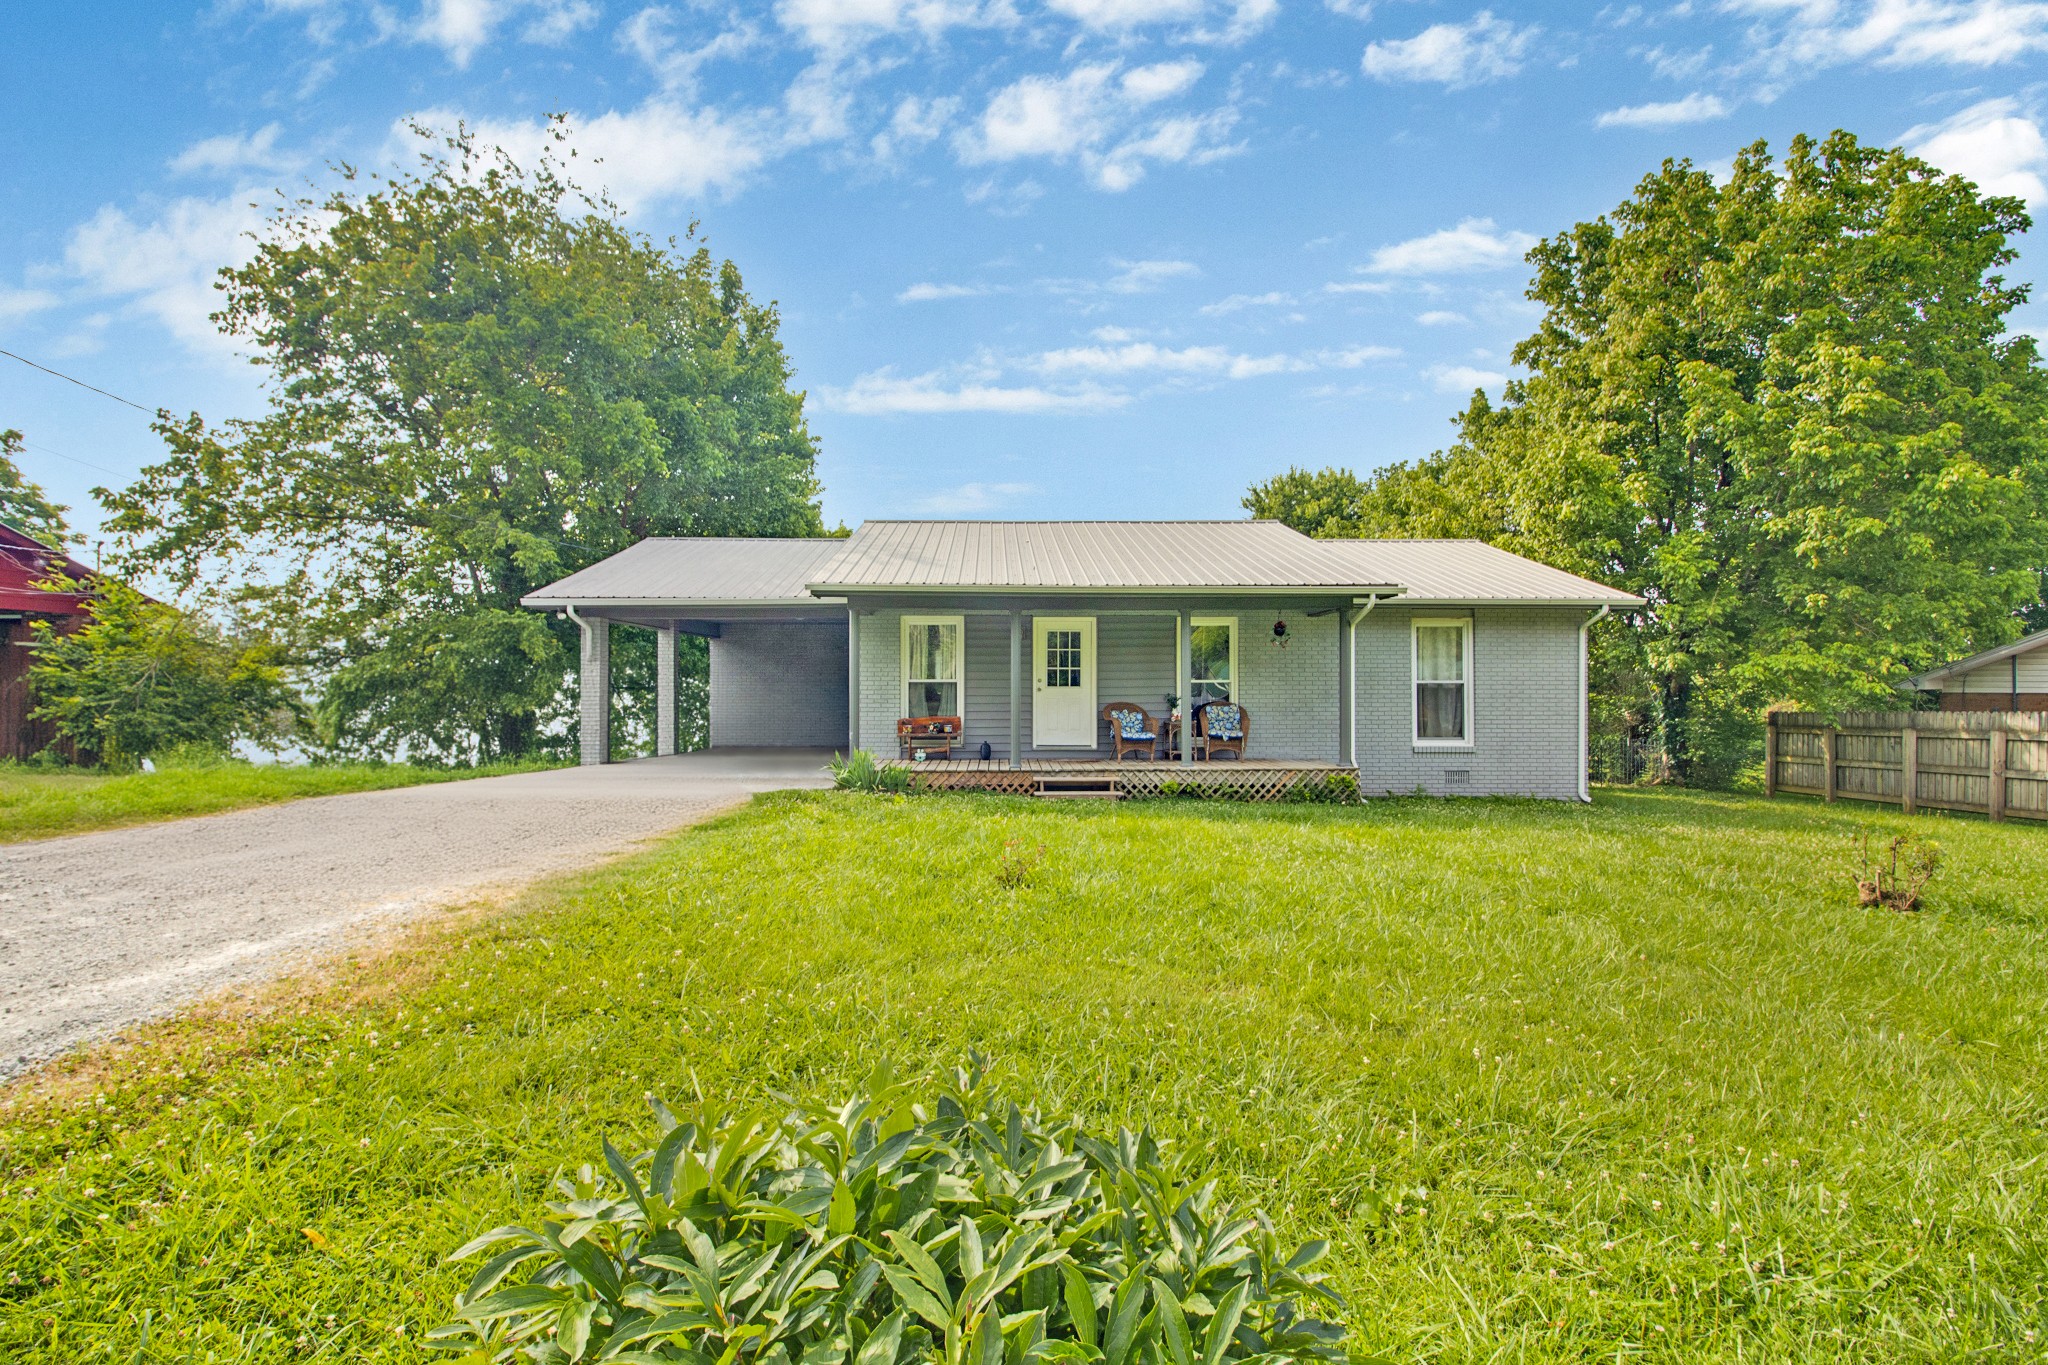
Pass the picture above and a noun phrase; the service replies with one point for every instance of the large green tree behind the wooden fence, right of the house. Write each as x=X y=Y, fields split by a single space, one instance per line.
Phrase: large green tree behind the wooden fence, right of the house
x=1789 y=412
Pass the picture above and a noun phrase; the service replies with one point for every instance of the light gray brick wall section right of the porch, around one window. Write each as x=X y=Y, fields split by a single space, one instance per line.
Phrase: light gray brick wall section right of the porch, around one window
x=1525 y=707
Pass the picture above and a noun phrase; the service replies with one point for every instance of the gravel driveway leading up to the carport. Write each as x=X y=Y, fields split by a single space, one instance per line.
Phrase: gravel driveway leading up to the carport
x=99 y=932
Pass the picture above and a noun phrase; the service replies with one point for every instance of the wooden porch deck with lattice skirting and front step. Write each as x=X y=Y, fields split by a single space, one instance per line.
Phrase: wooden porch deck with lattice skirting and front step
x=1228 y=779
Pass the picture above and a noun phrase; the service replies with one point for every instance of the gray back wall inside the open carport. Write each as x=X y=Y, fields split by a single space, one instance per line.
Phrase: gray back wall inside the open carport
x=779 y=687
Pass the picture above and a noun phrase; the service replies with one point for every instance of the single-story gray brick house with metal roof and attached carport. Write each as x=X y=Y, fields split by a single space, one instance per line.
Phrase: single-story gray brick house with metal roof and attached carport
x=1420 y=664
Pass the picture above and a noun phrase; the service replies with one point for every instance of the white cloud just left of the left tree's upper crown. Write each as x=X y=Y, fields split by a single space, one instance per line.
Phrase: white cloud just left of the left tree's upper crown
x=165 y=267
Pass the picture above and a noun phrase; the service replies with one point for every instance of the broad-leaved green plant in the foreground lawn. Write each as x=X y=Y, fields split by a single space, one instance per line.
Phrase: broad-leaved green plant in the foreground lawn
x=900 y=1227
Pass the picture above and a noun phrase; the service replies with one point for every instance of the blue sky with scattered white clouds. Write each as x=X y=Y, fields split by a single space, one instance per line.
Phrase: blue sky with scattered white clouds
x=1035 y=257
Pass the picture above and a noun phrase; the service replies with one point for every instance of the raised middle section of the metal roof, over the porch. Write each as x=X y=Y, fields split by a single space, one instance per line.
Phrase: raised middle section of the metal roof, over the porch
x=1086 y=558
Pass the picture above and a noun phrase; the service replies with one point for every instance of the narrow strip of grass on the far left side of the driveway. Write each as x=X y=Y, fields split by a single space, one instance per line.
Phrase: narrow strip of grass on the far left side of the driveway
x=44 y=803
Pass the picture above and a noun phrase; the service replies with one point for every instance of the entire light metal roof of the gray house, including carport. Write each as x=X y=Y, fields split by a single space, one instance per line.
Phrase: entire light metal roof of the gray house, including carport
x=1023 y=558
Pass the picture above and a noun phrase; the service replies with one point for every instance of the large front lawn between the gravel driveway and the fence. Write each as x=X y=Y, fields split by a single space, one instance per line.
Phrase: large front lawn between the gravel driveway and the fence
x=1617 y=1084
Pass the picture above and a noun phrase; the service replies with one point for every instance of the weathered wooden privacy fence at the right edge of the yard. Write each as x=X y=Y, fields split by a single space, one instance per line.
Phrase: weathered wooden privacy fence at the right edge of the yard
x=1994 y=762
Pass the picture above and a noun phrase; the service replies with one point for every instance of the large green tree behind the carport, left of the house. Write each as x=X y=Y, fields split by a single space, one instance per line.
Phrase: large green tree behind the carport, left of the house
x=480 y=380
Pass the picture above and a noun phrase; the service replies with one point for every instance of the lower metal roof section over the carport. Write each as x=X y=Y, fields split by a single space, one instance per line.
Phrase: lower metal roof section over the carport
x=712 y=570
